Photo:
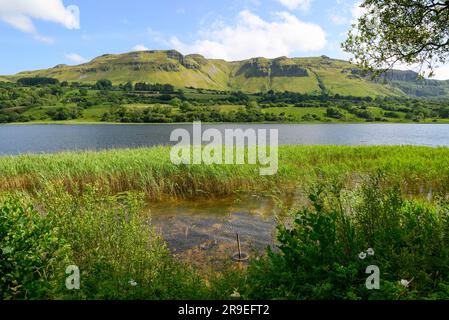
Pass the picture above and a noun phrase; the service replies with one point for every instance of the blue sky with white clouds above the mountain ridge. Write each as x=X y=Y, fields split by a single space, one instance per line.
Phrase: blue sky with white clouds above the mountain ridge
x=42 y=33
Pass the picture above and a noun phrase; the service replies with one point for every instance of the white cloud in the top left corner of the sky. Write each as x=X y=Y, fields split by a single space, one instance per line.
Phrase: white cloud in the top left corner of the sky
x=20 y=14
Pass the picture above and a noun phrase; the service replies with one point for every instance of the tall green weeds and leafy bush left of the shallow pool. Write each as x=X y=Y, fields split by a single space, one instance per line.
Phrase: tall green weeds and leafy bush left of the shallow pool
x=109 y=238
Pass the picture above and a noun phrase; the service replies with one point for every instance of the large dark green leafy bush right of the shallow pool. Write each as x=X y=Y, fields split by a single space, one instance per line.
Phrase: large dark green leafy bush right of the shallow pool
x=318 y=255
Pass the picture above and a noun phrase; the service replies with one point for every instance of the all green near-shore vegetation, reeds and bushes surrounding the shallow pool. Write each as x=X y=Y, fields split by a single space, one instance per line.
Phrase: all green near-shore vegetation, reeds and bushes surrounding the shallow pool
x=88 y=209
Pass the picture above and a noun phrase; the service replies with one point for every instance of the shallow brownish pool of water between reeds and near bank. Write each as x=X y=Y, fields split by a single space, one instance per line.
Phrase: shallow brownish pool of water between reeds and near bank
x=212 y=225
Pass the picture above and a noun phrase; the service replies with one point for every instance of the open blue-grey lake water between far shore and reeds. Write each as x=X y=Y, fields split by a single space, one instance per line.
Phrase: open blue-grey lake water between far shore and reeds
x=18 y=139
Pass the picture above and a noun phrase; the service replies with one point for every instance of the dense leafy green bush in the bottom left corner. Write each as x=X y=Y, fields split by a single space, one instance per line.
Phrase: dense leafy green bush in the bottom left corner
x=32 y=254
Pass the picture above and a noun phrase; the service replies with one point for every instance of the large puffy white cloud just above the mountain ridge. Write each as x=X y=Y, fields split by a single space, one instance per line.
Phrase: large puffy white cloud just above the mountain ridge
x=252 y=36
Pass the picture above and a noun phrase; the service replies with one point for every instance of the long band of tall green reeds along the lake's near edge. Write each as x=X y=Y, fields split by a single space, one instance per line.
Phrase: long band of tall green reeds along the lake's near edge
x=419 y=171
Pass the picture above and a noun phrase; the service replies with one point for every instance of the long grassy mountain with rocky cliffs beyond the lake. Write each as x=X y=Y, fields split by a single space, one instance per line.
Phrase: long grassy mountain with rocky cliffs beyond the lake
x=302 y=75
